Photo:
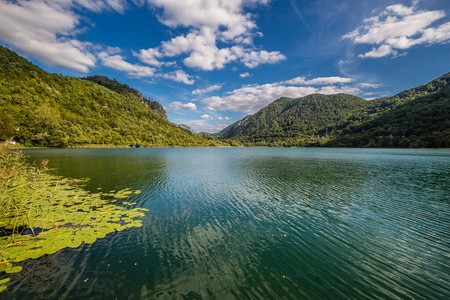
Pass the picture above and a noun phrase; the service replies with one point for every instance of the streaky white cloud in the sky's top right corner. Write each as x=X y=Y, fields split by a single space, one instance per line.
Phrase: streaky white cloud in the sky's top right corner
x=400 y=27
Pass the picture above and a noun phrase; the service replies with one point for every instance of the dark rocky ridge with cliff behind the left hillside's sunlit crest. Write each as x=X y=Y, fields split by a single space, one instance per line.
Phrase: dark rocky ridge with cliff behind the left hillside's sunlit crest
x=131 y=93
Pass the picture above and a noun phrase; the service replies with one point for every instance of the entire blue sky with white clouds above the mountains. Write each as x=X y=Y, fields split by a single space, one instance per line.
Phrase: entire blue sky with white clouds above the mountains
x=212 y=62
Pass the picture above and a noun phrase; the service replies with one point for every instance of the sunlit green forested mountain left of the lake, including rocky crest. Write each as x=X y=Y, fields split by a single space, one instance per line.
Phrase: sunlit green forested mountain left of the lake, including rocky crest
x=44 y=109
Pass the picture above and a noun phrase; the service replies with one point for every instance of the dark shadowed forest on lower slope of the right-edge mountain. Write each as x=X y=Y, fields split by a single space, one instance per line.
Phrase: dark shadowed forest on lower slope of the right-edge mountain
x=423 y=122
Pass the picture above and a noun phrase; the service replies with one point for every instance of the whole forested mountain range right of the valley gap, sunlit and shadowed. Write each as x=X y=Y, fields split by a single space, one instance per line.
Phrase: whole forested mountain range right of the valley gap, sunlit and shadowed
x=417 y=117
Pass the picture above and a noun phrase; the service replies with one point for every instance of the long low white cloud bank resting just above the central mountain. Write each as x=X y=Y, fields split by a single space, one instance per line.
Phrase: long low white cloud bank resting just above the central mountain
x=251 y=98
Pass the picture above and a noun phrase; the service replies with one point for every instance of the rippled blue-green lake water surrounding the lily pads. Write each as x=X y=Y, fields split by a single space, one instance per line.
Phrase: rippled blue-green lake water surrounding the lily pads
x=257 y=223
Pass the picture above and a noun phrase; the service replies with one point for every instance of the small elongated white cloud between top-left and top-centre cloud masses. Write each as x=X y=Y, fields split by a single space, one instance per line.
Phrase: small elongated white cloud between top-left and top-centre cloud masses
x=117 y=62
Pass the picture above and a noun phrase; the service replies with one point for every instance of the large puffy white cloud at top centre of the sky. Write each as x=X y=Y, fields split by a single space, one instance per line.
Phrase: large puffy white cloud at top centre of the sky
x=209 y=22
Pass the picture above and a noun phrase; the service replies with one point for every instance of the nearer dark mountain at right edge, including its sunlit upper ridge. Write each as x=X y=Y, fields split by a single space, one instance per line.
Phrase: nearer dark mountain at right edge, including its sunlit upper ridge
x=418 y=118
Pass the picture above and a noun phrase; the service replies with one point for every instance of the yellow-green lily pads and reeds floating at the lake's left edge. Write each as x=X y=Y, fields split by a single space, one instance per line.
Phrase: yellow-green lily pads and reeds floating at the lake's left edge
x=42 y=214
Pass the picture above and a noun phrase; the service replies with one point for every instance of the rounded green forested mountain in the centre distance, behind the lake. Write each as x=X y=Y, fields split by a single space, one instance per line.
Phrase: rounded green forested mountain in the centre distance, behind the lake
x=289 y=121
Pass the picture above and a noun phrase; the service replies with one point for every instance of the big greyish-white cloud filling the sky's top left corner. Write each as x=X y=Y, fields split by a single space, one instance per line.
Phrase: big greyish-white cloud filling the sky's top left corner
x=46 y=30
